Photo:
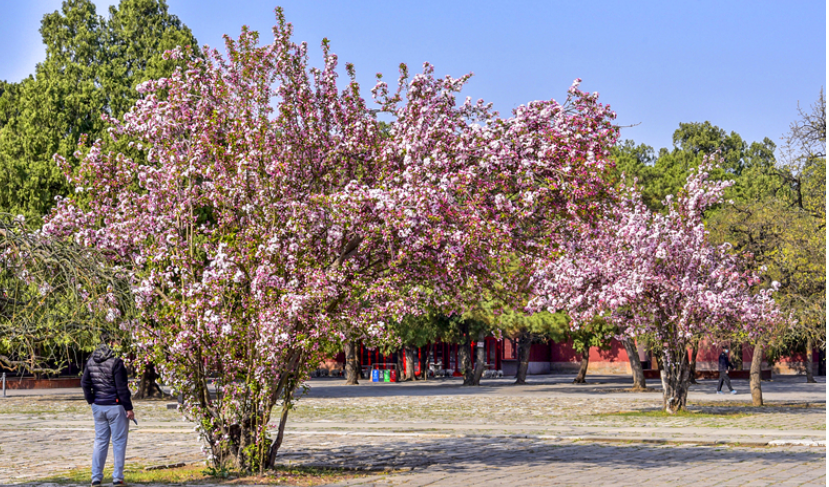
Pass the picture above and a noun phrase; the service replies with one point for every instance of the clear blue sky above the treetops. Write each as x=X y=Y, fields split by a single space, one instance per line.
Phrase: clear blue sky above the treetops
x=742 y=65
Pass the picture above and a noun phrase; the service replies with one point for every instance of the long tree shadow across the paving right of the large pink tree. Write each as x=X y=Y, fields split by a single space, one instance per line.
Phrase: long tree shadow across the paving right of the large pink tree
x=477 y=452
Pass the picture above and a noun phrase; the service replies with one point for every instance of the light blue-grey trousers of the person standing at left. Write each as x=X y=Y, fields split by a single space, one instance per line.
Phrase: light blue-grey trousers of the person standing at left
x=110 y=422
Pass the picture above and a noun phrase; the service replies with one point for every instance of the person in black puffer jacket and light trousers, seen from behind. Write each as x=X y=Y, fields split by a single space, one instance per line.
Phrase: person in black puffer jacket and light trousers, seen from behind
x=104 y=385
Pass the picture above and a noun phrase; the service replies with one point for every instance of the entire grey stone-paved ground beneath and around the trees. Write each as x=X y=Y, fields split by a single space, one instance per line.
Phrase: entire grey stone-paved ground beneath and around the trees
x=448 y=435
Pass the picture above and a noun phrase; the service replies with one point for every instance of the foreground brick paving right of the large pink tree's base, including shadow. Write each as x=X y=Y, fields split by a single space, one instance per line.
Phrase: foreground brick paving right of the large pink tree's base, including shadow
x=529 y=462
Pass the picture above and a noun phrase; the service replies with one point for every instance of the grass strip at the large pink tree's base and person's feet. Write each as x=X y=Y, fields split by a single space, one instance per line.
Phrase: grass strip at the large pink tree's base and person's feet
x=198 y=474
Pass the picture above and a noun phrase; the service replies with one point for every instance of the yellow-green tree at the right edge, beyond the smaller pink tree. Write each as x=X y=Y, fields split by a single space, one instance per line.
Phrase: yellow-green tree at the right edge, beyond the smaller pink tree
x=778 y=218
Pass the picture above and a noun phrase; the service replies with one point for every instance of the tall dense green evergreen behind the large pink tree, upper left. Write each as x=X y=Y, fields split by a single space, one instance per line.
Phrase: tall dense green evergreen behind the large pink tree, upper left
x=92 y=66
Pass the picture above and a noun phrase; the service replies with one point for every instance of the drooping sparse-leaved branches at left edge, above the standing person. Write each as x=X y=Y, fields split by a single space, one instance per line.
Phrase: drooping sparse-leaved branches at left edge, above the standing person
x=56 y=297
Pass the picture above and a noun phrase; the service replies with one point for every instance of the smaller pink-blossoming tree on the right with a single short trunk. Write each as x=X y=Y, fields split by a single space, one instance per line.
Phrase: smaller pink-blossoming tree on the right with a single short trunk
x=657 y=275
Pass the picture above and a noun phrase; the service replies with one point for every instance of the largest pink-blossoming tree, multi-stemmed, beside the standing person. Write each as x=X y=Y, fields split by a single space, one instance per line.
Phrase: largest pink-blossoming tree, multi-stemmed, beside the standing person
x=264 y=213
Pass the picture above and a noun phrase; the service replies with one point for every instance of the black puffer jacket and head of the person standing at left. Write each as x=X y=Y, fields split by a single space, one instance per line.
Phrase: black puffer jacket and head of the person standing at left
x=104 y=380
